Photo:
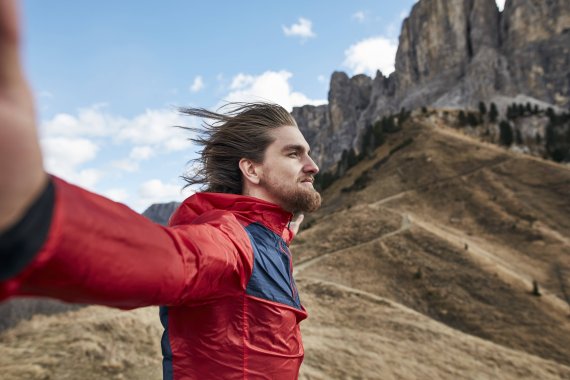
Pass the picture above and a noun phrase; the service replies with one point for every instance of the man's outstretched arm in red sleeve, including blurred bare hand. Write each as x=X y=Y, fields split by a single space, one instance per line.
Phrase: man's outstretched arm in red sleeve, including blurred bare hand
x=95 y=250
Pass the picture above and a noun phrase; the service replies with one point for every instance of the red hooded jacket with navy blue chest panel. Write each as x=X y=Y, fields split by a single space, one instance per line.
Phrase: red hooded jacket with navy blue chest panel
x=222 y=271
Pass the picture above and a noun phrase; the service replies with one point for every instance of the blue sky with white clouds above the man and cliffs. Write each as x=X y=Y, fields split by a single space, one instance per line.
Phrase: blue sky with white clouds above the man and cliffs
x=108 y=76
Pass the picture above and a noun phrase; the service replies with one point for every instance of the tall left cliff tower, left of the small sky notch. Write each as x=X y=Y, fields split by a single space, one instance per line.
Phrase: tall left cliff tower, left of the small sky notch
x=448 y=53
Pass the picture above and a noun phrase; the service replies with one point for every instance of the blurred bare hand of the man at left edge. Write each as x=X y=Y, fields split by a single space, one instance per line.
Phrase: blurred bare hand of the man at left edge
x=22 y=176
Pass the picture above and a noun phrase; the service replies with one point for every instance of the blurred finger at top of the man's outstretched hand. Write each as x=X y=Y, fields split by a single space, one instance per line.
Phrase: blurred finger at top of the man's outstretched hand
x=10 y=69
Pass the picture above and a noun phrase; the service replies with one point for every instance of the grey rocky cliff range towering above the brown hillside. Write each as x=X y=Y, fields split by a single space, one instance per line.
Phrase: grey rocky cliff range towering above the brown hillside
x=451 y=53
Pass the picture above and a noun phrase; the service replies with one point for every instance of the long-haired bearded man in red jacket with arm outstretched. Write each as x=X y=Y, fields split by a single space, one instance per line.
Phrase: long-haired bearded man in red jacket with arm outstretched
x=222 y=270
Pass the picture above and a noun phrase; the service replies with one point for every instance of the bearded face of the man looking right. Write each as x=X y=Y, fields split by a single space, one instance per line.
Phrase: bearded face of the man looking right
x=288 y=172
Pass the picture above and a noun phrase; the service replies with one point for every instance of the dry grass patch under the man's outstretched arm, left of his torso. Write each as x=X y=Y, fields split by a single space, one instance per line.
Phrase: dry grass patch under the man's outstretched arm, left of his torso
x=89 y=344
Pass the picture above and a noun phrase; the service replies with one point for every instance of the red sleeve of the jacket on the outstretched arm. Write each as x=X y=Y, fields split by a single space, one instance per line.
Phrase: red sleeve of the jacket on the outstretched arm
x=101 y=252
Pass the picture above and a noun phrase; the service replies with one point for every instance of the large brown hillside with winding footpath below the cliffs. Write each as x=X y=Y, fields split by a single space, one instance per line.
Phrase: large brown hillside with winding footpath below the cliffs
x=476 y=225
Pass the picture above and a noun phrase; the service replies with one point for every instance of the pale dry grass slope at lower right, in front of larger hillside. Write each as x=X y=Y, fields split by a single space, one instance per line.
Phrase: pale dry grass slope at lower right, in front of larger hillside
x=370 y=337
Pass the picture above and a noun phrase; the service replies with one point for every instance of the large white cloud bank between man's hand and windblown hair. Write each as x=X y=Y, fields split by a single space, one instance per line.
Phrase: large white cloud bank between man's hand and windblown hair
x=71 y=143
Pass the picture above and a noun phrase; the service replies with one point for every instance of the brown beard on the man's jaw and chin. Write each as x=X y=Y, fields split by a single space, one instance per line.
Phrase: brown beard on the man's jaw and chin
x=294 y=198
